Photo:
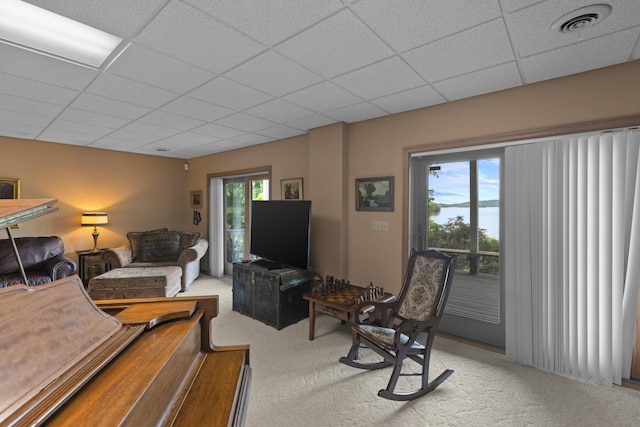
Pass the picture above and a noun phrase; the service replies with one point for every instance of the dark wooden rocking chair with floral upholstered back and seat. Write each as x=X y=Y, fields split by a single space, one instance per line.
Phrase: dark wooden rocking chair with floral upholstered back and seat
x=416 y=311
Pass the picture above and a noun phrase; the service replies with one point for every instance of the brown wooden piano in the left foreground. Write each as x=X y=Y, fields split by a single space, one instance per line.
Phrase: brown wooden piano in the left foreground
x=67 y=360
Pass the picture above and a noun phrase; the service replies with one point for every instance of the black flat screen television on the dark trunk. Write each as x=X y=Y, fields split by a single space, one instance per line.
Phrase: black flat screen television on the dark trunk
x=280 y=231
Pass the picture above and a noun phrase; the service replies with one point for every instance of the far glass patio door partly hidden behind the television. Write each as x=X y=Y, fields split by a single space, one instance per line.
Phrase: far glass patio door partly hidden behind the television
x=238 y=194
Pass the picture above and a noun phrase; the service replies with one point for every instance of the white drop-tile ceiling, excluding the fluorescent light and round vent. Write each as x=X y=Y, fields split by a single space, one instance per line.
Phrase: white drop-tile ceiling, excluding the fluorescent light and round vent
x=196 y=77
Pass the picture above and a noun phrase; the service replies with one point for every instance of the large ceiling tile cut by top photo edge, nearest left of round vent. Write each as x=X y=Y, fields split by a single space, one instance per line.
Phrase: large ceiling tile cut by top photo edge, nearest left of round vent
x=411 y=23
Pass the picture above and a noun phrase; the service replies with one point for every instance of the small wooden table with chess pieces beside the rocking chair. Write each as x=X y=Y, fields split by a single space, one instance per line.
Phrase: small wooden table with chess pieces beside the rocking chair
x=338 y=304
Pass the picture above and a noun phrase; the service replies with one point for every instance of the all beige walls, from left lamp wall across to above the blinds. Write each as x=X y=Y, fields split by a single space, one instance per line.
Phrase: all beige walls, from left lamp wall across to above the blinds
x=328 y=159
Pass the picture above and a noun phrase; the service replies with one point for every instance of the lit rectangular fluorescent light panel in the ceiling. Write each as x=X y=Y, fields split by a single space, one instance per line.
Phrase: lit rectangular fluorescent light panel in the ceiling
x=30 y=27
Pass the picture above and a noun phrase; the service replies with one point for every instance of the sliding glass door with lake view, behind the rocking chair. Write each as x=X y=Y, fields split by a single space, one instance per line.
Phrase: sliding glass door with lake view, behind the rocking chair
x=455 y=206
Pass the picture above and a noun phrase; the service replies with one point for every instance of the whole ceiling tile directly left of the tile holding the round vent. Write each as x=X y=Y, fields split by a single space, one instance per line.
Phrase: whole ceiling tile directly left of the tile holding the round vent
x=480 y=47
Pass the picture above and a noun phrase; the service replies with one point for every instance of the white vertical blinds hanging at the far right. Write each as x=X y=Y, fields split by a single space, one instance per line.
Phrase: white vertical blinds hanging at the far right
x=572 y=254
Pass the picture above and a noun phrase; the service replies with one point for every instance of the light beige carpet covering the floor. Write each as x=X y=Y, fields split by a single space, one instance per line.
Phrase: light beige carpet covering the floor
x=297 y=382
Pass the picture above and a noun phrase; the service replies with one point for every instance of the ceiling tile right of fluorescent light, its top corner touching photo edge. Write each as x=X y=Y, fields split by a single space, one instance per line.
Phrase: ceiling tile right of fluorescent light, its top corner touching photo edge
x=187 y=34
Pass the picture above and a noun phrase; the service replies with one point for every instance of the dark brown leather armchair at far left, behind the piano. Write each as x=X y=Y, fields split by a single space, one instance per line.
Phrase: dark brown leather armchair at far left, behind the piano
x=42 y=258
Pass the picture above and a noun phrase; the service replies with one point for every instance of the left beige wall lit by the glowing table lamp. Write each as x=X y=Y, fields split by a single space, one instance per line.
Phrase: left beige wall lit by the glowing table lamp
x=138 y=192
